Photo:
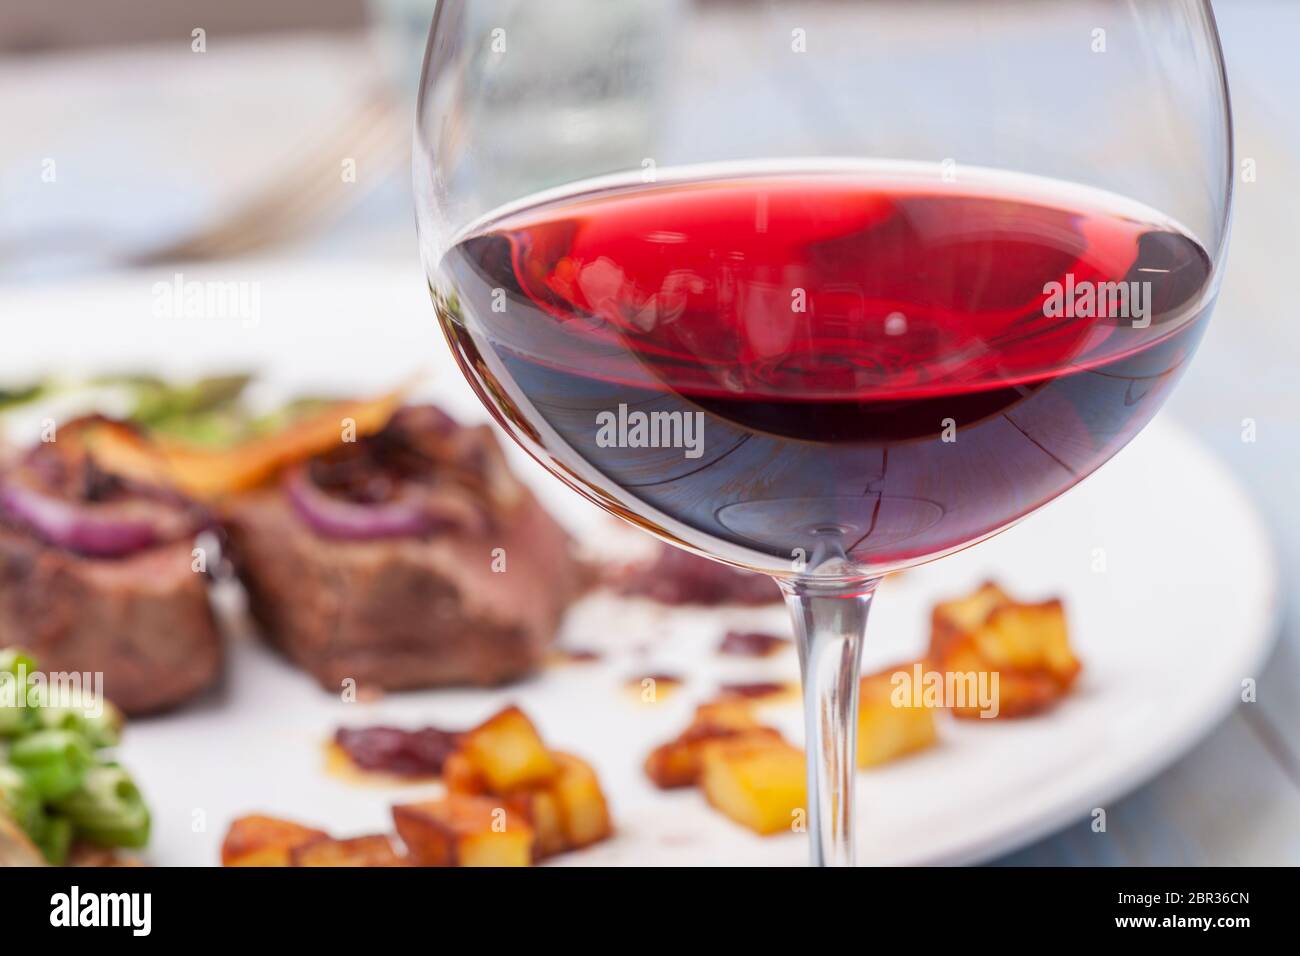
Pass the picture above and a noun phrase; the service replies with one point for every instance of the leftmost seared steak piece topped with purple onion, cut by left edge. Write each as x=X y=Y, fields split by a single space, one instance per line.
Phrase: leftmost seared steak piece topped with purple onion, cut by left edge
x=97 y=576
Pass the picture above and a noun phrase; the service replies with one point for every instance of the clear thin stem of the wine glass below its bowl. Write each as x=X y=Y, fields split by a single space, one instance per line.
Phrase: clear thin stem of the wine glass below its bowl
x=830 y=625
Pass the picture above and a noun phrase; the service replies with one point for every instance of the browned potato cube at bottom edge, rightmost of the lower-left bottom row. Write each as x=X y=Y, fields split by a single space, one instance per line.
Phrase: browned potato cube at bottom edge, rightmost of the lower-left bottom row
x=465 y=830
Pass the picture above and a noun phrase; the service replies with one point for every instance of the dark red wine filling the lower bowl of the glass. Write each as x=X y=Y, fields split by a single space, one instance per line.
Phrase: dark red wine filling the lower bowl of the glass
x=872 y=365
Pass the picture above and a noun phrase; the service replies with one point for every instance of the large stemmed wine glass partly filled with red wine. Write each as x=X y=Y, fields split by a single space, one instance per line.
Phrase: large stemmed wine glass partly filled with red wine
x=830 y=289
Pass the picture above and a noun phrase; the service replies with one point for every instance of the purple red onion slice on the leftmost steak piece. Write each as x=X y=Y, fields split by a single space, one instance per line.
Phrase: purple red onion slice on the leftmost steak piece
x=76 y=527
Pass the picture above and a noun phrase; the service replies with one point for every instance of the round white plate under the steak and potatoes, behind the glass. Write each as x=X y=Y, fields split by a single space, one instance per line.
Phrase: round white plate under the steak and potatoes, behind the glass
x=1184 y=611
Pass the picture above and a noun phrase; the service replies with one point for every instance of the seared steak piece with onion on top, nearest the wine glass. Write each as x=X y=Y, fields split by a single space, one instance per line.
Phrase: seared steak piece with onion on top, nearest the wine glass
x=410 y=559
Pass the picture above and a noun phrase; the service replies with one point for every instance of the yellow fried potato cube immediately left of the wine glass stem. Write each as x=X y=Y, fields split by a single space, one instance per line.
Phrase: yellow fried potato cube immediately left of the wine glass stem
x=760 y=784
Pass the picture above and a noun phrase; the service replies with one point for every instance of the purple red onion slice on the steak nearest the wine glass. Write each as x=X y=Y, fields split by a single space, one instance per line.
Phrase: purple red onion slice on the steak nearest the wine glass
x=408 y=516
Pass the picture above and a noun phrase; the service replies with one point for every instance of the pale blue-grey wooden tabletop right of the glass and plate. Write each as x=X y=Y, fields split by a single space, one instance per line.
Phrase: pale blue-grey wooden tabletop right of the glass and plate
x=1236 y=798
